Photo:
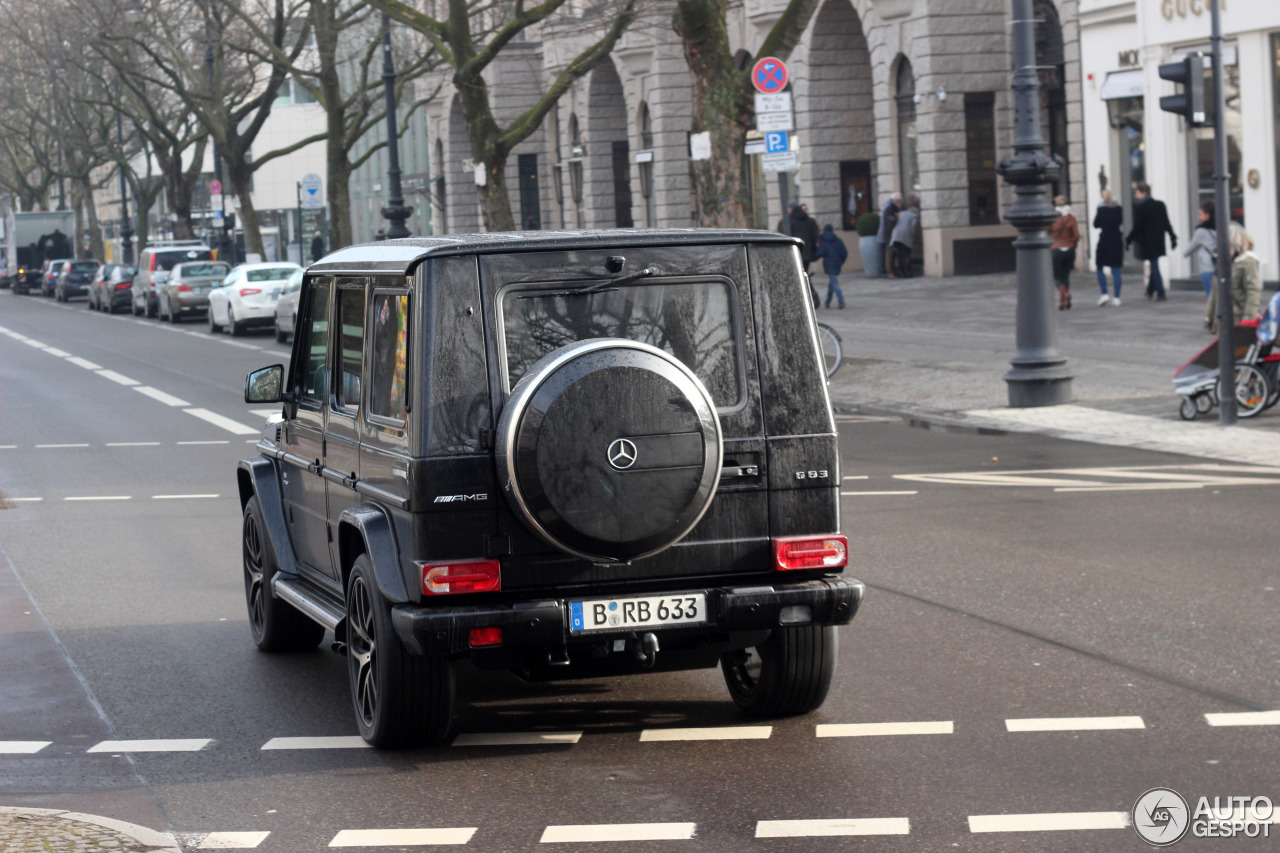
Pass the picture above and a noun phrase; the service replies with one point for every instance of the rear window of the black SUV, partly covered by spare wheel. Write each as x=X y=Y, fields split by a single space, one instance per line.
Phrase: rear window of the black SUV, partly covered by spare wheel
x=692 y=321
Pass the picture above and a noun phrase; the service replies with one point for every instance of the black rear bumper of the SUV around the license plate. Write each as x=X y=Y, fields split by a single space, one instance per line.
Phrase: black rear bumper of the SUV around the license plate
x=545 y=624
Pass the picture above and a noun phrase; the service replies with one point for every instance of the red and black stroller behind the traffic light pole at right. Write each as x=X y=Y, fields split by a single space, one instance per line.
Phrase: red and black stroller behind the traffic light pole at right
x=1258 y=370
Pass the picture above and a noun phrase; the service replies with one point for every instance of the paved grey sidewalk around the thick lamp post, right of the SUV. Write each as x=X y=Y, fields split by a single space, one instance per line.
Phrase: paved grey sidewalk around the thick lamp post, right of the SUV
x=938 y=349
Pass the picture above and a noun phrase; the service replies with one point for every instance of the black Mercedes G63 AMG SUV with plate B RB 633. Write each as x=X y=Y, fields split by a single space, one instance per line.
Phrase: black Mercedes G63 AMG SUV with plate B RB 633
x=561 y=454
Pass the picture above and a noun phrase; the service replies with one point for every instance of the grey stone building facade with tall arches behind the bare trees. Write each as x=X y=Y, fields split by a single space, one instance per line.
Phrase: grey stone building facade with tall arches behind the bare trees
x=890 y=95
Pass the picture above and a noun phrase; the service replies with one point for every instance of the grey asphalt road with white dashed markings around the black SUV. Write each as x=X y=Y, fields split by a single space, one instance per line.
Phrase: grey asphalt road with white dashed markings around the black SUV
x=1012 y=578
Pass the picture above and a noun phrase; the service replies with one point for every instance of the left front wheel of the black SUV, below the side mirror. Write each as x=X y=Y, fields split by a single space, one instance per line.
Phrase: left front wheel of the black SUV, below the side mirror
x=276 y=626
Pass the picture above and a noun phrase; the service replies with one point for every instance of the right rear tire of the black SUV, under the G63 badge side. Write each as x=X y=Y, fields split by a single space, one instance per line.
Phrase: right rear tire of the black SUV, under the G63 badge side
x=788 y=676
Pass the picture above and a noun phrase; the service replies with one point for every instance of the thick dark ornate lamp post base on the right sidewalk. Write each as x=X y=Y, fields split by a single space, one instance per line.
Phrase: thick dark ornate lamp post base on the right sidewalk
x=1040 y=376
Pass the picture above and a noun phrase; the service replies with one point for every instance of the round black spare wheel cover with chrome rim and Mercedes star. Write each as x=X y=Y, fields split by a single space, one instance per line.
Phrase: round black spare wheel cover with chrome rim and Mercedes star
x=610 y=449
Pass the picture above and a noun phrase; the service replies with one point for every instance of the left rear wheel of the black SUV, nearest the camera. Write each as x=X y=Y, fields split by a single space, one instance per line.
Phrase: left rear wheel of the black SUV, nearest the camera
x=400 y=700
